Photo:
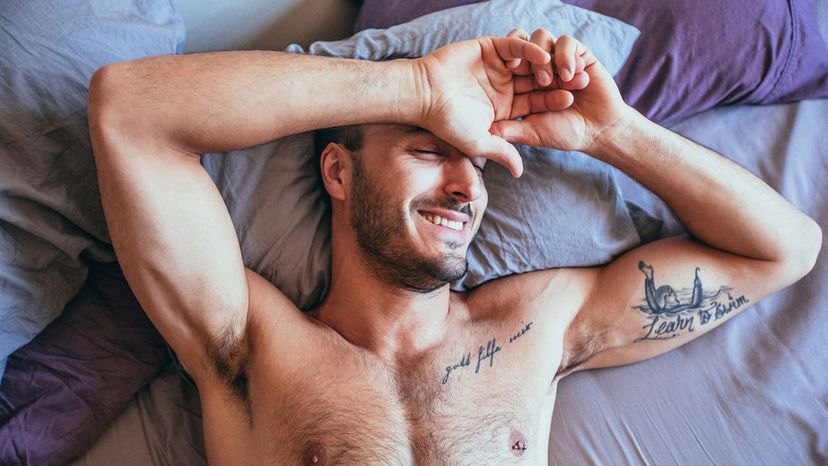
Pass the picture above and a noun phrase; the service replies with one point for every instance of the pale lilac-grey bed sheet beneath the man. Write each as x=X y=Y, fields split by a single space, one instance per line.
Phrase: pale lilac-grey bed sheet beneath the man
x=754 y=391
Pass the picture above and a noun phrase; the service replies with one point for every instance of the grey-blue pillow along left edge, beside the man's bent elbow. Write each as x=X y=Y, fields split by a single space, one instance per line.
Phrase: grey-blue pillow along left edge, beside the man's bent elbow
x=50 y=213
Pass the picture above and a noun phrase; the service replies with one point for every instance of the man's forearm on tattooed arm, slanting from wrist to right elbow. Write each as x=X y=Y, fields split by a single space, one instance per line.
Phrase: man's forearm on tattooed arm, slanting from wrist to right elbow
x=720 y=203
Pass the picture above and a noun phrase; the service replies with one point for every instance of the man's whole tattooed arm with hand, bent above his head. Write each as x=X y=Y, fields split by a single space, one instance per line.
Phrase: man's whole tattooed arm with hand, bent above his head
x=747 y=240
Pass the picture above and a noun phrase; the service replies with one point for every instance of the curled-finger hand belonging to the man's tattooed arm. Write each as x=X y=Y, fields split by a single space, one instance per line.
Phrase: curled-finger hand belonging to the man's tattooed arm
x=575 y=75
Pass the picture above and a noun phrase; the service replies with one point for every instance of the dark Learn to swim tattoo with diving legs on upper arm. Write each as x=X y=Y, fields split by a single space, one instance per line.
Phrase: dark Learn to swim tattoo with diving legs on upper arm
x=671 y=312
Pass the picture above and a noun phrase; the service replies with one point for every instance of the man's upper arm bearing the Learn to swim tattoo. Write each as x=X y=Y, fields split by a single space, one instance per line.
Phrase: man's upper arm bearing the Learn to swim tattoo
x=662 y=295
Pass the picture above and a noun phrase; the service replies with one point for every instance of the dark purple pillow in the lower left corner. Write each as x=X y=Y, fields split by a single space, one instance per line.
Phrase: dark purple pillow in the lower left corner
x=65 y=387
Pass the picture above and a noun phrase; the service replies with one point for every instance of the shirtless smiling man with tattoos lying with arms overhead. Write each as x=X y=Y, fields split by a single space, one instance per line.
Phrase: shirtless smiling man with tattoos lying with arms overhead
x=393 y=367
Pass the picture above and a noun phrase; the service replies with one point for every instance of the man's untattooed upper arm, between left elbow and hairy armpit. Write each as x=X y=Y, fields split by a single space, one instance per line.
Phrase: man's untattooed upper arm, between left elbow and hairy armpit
x=175 y=241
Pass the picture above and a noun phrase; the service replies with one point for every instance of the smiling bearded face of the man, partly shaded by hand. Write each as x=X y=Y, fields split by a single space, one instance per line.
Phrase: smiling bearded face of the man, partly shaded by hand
x=416 y=204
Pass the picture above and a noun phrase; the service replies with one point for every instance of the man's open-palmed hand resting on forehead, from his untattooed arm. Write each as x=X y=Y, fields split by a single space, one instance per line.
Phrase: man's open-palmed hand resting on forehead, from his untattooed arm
x=468 y=86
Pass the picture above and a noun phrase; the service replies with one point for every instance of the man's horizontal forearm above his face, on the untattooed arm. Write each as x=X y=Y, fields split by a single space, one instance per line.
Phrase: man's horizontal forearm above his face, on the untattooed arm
x=221 y=101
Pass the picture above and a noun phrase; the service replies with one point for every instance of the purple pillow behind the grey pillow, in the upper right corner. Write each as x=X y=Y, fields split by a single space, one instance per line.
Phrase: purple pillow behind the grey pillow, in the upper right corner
x=692 y=56
